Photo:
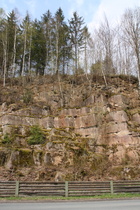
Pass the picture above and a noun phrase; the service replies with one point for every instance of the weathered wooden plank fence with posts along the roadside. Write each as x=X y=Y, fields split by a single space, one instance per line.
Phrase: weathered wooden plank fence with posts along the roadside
x=16 y=188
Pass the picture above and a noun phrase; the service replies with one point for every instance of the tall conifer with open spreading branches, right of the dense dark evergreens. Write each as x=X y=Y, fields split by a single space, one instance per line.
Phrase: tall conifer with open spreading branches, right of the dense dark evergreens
x=76 y=34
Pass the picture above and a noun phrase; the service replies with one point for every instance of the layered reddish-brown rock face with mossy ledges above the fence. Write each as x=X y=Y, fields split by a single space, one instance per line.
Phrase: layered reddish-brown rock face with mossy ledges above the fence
x=94 y=135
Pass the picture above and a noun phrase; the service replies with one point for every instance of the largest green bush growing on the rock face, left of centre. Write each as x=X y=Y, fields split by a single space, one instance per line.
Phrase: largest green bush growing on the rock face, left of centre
x=36 y=136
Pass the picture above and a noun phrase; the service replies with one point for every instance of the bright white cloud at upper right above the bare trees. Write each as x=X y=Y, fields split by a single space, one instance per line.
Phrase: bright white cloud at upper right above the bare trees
x=112 y=9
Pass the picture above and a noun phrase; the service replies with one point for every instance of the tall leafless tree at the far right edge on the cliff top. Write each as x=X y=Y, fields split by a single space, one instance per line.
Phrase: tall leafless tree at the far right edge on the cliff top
x=131 y=31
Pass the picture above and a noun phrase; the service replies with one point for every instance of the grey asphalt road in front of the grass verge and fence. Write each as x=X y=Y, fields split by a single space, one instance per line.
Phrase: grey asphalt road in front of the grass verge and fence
x=87 y=205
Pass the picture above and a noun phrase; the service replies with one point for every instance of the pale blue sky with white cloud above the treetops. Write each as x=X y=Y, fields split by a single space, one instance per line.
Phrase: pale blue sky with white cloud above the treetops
x=92 y=11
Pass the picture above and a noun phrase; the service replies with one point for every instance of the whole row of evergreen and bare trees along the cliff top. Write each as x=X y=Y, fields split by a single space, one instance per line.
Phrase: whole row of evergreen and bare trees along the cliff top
x=54 y=46
